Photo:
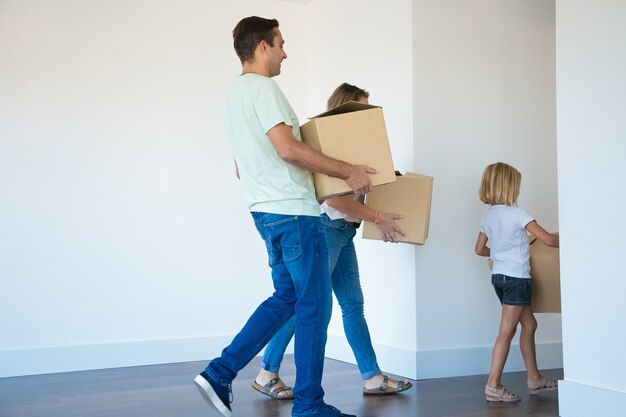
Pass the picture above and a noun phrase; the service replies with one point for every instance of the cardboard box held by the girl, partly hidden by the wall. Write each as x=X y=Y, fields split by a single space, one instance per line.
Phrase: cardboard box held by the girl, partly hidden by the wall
x=545 y=271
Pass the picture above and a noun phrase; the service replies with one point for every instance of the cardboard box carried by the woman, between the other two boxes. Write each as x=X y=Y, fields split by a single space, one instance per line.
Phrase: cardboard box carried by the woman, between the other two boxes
x=410 y=195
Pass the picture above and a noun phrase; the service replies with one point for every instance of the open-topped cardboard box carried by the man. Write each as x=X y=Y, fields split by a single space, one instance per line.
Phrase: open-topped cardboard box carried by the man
x=353 y=132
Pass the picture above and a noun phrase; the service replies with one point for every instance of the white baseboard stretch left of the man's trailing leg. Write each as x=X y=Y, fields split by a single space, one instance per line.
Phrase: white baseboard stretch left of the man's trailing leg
x=47 y=360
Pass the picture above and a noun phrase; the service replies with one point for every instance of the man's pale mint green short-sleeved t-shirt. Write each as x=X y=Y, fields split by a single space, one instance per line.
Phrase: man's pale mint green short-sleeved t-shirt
x=255 y=105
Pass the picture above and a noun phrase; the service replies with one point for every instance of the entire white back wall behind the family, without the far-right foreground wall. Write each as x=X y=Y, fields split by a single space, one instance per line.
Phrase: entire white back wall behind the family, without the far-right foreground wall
x=124 y=236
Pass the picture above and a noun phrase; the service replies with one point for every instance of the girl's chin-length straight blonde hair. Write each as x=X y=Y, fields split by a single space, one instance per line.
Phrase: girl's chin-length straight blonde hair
x=500 y=184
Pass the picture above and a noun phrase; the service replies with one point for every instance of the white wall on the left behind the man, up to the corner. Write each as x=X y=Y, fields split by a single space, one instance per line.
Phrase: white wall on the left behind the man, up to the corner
x=124 y=235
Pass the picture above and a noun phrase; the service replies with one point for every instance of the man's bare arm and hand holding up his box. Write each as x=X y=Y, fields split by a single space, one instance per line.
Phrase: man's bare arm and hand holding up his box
x=293 y=151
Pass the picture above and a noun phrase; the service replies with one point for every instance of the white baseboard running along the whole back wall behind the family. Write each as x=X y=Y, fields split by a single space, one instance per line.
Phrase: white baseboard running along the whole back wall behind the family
x=397 y=361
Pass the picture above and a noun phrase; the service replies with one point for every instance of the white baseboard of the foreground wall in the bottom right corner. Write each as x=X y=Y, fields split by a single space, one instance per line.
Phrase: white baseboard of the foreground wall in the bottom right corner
x=578 y=400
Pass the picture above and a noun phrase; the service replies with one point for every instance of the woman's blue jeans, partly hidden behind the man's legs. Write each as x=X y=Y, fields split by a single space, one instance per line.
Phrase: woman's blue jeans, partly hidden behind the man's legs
x=347 y=288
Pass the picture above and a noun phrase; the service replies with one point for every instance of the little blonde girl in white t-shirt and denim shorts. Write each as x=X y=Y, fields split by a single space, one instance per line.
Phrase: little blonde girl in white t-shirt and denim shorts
x=505 y=226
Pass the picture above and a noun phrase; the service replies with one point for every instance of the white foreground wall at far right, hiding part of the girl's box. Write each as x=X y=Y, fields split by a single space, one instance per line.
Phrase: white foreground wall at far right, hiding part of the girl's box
x=591 y=114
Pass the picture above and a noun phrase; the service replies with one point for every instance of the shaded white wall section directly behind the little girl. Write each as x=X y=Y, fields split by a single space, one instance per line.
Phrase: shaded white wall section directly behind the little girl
x=484 y=91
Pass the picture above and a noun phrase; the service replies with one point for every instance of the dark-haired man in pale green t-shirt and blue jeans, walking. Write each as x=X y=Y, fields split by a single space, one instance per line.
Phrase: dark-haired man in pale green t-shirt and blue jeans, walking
x=274 y=166
